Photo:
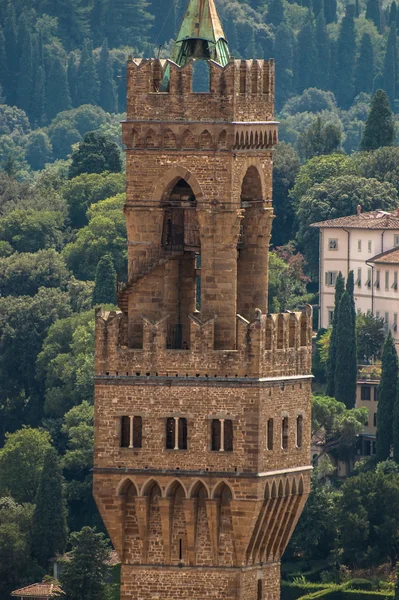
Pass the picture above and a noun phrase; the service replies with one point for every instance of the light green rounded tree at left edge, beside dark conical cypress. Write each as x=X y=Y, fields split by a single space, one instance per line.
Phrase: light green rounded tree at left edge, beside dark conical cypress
x=21 y=463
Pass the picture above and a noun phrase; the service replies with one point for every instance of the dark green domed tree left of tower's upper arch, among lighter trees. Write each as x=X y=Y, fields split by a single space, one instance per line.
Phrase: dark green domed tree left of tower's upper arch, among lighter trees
x=95 y=154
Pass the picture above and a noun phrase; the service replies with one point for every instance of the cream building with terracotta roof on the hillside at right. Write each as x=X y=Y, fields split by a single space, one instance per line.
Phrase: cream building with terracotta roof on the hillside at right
x=368 y=244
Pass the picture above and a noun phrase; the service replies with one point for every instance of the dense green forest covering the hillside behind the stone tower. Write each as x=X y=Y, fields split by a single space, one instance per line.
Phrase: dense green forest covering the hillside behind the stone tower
x=63 y=244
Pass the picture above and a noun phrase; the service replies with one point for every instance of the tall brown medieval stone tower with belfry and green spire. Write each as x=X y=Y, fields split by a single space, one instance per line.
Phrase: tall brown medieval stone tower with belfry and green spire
x=202 y=426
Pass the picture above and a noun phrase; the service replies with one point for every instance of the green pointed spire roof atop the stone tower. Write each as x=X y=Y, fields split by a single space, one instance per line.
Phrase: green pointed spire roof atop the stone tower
x=201 y=35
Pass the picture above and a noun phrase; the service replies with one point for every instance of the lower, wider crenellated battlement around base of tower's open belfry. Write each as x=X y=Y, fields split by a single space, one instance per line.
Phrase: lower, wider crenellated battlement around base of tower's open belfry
x=270 y=346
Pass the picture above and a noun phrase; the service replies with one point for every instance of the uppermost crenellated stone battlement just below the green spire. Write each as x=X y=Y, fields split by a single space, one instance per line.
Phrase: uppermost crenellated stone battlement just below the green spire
x=242 y=91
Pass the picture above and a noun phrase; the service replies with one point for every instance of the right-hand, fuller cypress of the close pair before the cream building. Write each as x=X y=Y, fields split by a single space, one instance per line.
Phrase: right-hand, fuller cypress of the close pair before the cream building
x=345 y=365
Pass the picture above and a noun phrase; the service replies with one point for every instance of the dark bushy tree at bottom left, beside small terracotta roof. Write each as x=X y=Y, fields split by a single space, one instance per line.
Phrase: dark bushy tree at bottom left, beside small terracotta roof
x=85 y=575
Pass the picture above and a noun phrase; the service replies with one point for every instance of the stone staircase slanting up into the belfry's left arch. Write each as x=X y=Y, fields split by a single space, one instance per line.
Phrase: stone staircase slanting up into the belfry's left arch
x=151 y=258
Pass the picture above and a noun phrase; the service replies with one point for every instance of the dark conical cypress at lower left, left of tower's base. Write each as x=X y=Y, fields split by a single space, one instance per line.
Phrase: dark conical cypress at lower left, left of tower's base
x=49 y=529
